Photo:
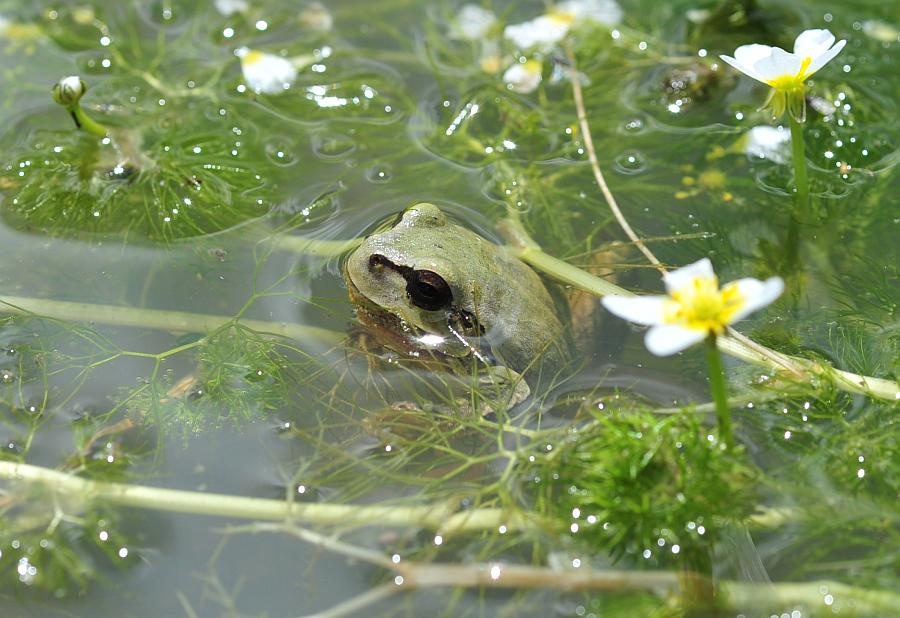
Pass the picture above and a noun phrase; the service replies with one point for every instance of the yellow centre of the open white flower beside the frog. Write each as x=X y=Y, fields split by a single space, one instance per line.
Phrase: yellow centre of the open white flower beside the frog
x=701 y=305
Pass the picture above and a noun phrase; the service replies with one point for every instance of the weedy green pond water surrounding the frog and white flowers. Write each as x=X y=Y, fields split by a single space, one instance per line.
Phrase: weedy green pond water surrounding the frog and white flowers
x=175 y=315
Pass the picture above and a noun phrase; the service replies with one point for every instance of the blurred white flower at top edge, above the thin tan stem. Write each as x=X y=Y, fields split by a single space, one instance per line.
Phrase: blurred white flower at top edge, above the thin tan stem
x=547 y=30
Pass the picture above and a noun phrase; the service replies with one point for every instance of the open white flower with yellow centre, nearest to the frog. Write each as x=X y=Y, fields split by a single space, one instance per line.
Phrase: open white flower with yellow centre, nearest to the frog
x=694 y=308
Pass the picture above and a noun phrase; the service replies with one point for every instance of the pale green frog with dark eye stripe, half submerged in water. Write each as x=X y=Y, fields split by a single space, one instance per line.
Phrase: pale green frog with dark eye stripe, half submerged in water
x=428 y=286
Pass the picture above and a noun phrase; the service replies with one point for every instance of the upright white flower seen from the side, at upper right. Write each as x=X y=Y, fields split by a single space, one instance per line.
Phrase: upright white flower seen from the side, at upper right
x=787 y=72
